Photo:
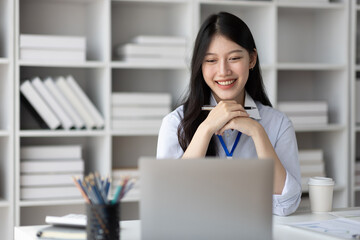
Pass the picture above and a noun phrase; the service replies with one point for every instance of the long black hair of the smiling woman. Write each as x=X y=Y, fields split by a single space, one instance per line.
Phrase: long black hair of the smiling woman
x=233 y=28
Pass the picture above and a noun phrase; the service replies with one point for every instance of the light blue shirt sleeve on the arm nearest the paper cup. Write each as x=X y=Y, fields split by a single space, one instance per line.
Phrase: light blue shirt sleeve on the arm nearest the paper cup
x=287 y=151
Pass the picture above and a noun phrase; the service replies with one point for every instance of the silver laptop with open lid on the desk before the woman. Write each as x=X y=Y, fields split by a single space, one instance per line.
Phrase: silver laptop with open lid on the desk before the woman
x=207 y=198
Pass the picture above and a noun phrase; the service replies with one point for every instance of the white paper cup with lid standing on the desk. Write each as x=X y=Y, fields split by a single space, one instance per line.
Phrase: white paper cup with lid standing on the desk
x=321 y=194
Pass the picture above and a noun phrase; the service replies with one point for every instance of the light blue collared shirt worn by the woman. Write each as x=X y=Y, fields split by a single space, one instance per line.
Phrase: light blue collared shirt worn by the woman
x=280 y=132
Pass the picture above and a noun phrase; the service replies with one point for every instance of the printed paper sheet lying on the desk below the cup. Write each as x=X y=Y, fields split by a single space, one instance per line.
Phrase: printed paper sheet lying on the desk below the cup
x=339 y=227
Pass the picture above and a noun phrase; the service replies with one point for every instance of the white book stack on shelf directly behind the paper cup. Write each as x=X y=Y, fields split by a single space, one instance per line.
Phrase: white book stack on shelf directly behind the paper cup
x=311 y=165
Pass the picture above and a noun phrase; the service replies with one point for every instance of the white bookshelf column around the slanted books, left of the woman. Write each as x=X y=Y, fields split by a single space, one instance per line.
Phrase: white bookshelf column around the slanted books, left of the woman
x=64 y=18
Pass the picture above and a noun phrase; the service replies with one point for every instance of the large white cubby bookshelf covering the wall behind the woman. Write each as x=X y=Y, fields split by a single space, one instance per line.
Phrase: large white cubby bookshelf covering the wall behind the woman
x=316 y=69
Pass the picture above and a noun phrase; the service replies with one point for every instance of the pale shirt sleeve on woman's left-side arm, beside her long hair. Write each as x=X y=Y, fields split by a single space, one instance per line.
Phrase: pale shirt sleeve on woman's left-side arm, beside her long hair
x=168 y=144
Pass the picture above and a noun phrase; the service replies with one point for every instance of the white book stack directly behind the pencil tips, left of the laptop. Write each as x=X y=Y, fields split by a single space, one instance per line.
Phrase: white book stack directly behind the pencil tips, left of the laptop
x=121 y=173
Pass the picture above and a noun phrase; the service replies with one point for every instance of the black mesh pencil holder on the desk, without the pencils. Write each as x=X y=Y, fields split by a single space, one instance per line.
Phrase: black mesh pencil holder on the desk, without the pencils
x=103 y=221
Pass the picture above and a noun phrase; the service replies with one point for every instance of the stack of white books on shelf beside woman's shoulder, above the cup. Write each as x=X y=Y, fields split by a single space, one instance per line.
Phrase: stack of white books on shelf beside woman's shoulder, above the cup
x=305 y=112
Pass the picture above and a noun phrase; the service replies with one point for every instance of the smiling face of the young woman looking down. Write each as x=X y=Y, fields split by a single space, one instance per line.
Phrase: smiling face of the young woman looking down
x=226 y=69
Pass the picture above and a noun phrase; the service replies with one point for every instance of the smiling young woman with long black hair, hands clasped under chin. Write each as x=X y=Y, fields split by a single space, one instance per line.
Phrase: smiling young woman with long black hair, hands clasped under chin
x=225 y=73
